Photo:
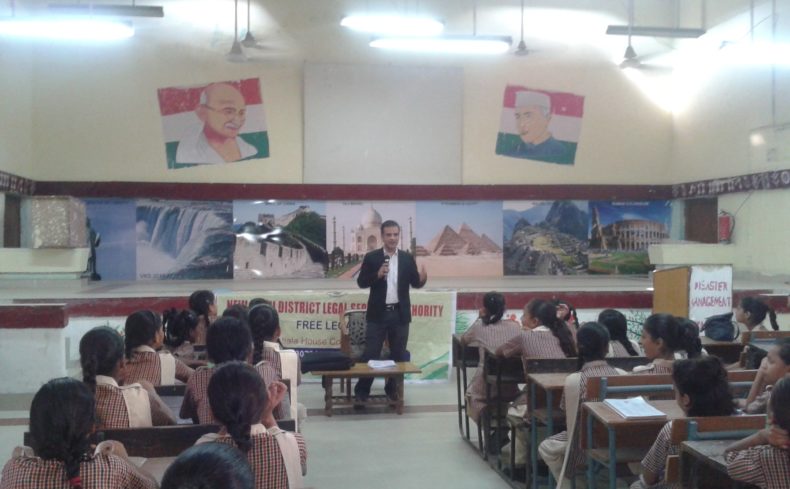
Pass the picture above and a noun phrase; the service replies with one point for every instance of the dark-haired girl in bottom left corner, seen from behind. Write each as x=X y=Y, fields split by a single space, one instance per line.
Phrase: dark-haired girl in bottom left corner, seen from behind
x=62 y=418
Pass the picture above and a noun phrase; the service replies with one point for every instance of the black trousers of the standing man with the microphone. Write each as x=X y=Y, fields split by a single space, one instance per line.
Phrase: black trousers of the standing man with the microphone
x=396 y=334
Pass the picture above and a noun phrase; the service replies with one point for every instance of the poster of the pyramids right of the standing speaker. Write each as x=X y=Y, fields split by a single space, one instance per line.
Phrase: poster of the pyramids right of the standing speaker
x=460 y=239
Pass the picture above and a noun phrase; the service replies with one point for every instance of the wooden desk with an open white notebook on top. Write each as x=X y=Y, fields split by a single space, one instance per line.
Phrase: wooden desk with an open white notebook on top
x=635 y=436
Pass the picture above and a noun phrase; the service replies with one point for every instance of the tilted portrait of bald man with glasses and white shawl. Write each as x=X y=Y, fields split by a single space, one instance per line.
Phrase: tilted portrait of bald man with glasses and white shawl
x=213 y=124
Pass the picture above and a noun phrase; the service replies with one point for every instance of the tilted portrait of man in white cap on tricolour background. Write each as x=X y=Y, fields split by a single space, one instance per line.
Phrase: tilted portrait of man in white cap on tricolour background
x=540 y=125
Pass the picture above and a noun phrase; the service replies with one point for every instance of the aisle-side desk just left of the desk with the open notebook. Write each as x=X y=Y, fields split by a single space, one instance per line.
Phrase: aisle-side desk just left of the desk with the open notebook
x=551 y=385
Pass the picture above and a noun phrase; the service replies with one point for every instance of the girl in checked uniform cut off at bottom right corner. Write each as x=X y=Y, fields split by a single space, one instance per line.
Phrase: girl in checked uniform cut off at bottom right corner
x=763 y=459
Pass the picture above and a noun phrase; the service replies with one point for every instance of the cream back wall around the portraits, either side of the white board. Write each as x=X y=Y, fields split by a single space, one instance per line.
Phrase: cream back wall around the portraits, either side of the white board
x=97 y=118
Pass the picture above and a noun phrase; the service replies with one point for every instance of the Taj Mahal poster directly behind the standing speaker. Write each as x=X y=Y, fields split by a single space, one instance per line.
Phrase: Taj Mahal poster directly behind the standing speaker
x=354 y=228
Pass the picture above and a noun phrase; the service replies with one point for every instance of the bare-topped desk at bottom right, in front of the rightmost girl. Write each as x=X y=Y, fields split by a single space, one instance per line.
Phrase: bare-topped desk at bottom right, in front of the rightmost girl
x=703 y=460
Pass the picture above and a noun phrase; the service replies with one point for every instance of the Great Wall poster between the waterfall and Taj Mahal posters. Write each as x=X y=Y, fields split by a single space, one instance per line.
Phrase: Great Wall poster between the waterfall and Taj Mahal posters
x=279 y=239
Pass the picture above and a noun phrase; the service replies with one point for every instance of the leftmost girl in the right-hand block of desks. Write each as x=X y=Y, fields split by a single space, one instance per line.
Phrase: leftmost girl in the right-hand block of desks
x=488 y=331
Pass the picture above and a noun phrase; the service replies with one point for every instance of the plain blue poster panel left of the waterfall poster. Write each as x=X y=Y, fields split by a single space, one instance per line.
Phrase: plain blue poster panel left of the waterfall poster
x=113 y=220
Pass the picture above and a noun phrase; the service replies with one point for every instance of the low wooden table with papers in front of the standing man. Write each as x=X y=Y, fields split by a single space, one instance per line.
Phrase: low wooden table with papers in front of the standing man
x=360 y=370
